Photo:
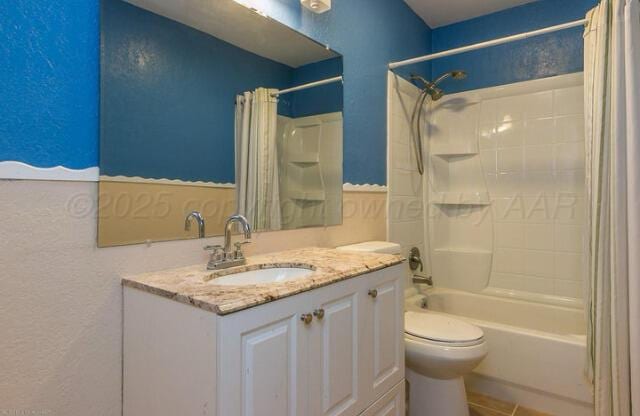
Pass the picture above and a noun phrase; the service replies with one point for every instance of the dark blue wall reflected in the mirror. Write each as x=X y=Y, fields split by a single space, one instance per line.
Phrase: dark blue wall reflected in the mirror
x=167 y=94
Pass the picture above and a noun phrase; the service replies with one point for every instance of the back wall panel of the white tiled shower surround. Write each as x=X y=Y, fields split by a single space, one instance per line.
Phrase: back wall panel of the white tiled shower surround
x=530 y=141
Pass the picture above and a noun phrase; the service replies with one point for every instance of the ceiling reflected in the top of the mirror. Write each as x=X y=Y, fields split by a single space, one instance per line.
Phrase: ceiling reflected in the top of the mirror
x=242 y=27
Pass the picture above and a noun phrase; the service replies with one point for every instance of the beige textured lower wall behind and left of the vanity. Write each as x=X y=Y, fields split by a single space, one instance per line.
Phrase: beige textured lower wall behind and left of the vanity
x=61 y=309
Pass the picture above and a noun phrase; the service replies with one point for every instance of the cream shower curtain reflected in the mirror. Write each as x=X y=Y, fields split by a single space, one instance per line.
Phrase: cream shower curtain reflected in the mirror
x=257 y=179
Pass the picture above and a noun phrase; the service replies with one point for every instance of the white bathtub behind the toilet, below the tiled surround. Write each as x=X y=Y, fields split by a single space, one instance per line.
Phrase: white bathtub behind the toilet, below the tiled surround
x=536 y=351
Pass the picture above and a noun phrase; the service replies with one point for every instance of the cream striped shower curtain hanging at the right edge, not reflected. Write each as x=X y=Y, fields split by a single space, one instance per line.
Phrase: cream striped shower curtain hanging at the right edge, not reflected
x=612 y=119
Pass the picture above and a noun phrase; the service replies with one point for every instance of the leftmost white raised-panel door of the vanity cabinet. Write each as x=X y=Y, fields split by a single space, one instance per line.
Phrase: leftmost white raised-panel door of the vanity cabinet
x=263 y=360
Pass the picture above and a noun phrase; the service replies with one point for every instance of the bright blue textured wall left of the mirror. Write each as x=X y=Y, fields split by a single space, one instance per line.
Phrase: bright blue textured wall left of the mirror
x=49 y=82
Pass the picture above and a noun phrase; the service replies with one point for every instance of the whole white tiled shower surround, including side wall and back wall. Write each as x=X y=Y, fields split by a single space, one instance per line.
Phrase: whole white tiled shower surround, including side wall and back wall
x=505 y=191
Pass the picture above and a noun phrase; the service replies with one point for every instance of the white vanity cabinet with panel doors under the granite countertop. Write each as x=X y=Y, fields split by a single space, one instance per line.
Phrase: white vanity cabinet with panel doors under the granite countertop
x=335 y=350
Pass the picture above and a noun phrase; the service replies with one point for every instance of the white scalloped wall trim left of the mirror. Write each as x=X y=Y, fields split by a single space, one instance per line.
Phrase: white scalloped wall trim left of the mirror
x=18 y=170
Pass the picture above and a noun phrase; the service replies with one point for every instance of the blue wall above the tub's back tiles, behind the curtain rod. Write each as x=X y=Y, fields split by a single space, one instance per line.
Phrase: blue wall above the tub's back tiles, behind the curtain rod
x=539 y=57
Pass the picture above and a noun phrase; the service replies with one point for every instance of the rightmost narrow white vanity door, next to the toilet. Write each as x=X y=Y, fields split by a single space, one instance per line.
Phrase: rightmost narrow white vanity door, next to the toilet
x=383 y=347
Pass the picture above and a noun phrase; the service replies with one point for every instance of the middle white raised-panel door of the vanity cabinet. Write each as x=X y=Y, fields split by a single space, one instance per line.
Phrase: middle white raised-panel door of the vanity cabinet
x=335 y=385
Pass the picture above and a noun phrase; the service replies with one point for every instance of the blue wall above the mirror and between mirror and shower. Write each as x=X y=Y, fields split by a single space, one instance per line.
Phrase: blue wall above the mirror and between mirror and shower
x=369 y=34
